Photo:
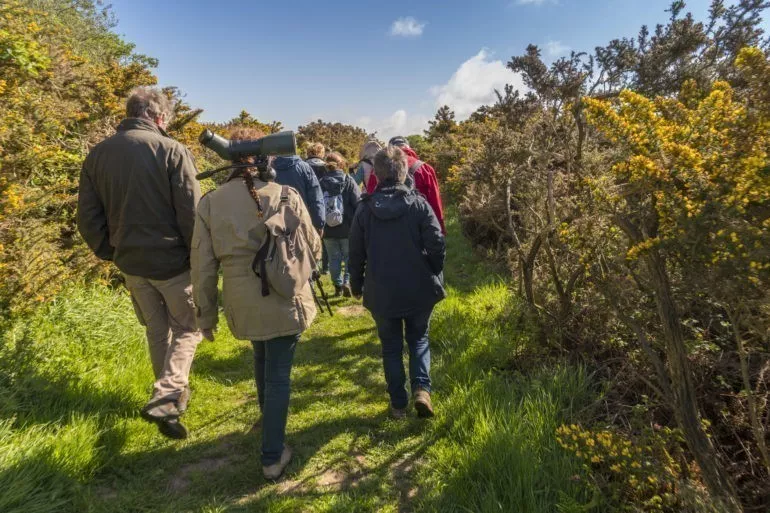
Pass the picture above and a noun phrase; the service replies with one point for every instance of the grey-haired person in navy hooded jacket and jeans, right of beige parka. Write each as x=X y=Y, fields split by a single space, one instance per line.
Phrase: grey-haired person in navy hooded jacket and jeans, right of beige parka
x=397 y=252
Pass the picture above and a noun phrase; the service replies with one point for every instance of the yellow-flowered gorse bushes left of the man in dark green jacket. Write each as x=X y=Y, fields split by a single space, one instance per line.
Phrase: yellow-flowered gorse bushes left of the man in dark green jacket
x=63 y=79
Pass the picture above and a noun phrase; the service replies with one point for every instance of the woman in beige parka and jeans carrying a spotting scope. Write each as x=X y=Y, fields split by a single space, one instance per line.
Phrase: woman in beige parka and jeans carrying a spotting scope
x=229 y=231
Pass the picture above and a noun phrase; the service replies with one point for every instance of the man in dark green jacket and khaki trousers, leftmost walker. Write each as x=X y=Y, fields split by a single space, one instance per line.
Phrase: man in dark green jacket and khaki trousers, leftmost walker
x=136 y=208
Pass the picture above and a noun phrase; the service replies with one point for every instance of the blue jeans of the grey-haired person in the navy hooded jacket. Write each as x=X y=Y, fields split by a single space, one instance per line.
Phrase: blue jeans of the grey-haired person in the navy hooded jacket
x=392 y=333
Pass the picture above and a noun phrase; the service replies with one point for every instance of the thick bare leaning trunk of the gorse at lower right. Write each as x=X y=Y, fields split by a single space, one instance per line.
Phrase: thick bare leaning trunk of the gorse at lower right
x=688 y=417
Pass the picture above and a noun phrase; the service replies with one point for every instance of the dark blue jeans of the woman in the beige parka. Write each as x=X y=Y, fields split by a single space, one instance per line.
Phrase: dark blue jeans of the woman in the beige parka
x=272 y=370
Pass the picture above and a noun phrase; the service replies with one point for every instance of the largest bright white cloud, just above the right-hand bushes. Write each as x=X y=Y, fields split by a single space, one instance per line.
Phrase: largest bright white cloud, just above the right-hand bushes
x=474 y=84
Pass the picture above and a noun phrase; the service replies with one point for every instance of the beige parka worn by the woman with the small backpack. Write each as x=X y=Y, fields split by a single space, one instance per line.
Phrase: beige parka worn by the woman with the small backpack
x=228 y=232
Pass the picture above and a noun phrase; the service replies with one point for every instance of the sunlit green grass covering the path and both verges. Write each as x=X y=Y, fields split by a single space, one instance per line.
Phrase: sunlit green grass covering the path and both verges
x=74 y=375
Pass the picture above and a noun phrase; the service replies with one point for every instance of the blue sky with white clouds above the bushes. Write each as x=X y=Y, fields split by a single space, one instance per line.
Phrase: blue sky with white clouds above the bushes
x=385 y=66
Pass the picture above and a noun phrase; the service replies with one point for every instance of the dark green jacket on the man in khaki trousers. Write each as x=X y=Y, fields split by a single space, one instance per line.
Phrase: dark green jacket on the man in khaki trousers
x=137 y=200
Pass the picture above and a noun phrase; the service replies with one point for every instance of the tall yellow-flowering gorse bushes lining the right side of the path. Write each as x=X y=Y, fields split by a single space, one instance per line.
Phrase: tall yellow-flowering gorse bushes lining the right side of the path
x=635 y=224
